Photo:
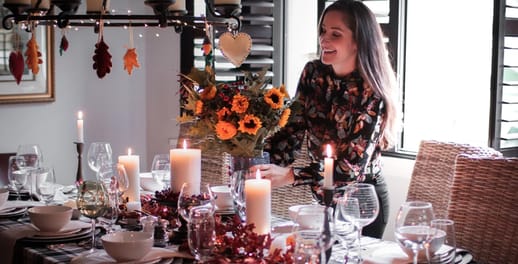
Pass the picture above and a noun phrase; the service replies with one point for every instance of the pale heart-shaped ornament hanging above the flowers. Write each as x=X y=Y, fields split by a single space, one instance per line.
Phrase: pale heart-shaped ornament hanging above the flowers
x=235 y=47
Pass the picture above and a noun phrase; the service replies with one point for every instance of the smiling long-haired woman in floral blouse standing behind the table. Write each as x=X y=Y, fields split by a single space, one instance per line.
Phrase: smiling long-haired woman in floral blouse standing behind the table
x=343 y=99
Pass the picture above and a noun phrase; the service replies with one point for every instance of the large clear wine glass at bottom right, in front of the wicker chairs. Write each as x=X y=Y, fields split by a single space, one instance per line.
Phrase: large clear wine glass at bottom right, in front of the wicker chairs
x=412 y=228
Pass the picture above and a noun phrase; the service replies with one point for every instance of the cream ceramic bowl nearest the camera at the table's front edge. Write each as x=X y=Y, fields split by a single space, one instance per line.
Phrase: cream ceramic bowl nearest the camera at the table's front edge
x=127 y=245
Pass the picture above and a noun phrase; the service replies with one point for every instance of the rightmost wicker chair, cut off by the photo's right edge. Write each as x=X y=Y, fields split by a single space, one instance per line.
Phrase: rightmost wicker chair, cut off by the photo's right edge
x=484 y=200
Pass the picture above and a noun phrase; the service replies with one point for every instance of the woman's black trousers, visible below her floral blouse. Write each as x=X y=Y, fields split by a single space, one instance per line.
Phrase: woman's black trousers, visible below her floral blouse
x=376 y=228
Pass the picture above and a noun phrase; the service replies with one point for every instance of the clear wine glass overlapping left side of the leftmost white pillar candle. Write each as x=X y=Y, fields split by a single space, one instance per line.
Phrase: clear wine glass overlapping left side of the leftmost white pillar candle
x=114 y=178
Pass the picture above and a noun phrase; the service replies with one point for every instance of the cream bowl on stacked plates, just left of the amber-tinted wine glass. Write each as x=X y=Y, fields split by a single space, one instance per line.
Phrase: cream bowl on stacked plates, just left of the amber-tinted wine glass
x=50 y=218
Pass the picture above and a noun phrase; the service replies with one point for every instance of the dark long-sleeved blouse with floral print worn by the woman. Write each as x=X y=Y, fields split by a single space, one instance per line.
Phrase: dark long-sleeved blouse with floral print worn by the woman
x=341 y=111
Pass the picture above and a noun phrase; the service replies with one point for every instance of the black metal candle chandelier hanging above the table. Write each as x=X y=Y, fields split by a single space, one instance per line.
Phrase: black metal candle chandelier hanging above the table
x=166 y=13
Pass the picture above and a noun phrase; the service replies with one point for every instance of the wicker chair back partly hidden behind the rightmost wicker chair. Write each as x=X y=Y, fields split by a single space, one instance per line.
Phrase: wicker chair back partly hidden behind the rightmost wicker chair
x=432 y=175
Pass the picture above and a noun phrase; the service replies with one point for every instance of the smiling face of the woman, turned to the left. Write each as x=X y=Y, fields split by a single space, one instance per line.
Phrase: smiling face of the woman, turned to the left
x=338 y=47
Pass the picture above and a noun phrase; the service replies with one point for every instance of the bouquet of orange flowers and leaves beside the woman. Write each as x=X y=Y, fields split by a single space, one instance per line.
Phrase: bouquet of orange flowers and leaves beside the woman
x=235 y=117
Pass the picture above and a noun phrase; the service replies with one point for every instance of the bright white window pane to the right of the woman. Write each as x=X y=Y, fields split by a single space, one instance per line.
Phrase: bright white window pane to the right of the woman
x=446 y=93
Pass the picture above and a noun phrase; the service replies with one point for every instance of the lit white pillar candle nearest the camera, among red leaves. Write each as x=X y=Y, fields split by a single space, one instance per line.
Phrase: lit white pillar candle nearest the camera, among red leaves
x=258 y=200
